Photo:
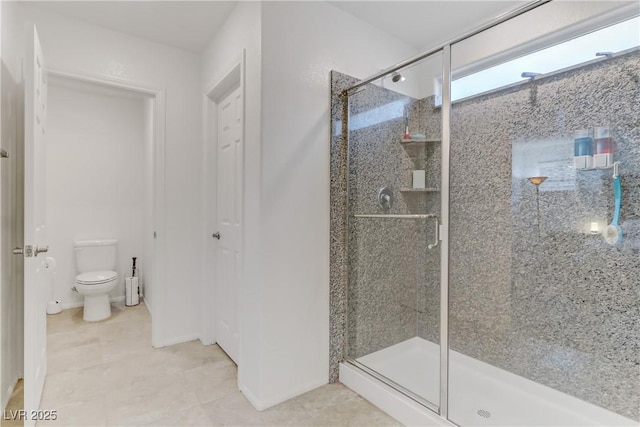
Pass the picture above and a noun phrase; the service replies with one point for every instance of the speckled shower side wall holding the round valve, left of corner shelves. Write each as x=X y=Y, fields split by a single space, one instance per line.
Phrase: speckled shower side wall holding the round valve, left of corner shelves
x=382 y=252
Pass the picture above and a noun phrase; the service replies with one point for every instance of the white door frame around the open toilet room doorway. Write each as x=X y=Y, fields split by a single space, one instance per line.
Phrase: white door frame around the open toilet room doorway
x=158 y=99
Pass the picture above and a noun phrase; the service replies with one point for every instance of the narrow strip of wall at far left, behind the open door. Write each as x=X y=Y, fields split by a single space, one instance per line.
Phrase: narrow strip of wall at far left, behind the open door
x=11 y=294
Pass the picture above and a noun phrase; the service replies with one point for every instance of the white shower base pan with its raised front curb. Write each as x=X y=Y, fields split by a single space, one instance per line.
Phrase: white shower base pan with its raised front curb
x=479 y=394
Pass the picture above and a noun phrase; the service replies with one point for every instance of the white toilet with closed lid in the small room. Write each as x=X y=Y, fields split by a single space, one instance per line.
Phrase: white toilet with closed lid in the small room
x=96 y=264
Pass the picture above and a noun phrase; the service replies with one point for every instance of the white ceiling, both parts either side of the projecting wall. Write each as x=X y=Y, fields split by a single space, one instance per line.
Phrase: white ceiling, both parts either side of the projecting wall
x=190 y=25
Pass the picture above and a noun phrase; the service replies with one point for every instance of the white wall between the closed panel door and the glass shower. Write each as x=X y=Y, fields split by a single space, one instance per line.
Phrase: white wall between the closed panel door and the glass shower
x=284 y=313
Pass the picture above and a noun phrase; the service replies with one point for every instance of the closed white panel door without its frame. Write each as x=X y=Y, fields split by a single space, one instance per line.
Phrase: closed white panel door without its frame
x=229 y=217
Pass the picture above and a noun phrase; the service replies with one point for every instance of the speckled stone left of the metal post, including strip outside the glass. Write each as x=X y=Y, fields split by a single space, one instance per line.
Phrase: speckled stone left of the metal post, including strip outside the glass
x=387 y=264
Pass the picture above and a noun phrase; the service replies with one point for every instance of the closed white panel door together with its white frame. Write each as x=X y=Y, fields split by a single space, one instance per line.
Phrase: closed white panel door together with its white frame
x=224 y=160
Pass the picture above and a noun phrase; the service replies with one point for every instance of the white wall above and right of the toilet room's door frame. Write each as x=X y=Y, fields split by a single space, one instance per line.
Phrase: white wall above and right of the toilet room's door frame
x=75 y=47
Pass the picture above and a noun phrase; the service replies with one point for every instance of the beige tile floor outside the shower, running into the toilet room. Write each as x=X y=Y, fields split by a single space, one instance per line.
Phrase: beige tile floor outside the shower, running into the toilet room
x=106 y=374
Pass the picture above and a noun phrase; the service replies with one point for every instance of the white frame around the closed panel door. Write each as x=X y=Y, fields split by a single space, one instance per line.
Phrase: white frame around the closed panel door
x=233 y=78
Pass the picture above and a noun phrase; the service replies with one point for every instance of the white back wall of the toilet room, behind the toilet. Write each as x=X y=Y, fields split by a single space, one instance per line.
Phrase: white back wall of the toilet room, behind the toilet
x=96 y=166
